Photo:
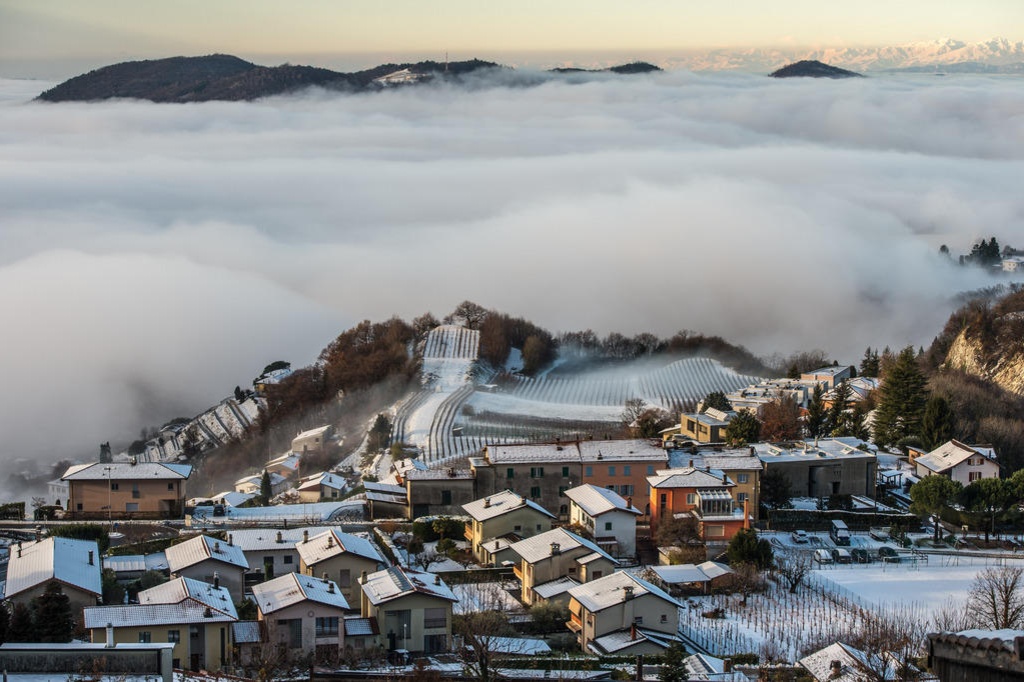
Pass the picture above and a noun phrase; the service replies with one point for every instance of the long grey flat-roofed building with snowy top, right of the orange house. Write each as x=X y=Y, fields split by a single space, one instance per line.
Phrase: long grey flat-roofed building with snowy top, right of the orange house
x=825 y=467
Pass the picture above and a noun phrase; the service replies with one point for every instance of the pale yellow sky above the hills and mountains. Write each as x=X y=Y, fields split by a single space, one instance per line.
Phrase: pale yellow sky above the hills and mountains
x=106 y=31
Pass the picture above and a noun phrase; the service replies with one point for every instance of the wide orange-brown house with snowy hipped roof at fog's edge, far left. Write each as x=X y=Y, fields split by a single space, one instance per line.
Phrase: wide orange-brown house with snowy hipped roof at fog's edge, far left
x=126 y=490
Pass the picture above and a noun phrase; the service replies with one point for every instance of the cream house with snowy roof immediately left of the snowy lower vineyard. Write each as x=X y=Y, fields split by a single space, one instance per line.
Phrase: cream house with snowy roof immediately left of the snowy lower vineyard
x=622 y=615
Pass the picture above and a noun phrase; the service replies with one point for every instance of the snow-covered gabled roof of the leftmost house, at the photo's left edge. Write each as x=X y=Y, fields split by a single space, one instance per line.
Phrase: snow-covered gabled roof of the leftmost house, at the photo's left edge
x=64 y=560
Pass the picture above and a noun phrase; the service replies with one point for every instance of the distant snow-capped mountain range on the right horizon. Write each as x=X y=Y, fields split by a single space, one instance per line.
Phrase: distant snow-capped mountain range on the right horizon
x=995 y=55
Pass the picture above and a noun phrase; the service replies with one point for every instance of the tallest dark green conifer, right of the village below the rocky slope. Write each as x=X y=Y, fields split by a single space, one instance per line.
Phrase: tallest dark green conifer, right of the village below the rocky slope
x=902 y=401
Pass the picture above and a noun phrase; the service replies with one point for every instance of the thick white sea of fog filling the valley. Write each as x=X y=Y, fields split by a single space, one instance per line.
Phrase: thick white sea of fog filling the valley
x=153 y=257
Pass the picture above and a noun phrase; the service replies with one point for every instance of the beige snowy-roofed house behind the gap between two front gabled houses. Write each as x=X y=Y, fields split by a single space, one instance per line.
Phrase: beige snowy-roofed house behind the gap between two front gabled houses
x=338 y=557
